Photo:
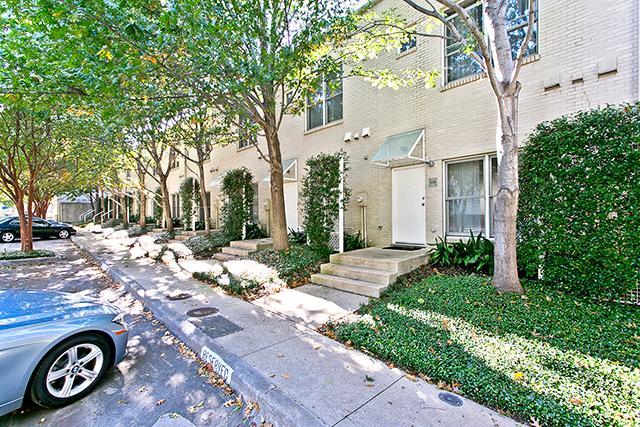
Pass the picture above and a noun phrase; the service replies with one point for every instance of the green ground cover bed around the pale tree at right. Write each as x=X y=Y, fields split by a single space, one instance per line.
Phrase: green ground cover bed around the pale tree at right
x=542 y=357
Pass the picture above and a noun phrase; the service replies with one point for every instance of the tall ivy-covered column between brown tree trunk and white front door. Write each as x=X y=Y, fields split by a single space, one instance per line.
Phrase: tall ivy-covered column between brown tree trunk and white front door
x=320 y=197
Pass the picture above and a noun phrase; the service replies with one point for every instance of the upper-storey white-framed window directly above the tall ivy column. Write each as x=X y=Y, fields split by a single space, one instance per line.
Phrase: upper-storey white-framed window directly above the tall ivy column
x=324 y=106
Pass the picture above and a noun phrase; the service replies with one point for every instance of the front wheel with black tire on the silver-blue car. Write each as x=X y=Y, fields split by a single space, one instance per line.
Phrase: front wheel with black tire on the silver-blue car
x=71 y=371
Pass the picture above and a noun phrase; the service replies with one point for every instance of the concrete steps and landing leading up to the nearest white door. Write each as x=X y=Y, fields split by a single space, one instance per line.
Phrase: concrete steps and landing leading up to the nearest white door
x=368 y=271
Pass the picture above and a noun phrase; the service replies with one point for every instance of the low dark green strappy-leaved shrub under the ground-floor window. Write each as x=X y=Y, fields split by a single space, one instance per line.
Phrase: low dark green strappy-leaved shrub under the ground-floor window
x=475 y=254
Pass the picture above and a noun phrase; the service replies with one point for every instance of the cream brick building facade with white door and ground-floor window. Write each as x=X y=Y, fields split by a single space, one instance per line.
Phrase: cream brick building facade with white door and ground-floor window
x=586 y=56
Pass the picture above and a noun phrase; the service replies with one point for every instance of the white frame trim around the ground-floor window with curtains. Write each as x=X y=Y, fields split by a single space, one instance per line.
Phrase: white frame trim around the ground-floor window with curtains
x=486 y=176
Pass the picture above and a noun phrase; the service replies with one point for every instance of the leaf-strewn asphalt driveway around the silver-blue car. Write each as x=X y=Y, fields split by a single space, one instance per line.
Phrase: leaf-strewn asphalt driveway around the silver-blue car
x=158 y=377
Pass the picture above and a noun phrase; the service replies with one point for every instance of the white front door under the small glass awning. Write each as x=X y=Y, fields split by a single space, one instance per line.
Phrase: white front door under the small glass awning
x=409 y=211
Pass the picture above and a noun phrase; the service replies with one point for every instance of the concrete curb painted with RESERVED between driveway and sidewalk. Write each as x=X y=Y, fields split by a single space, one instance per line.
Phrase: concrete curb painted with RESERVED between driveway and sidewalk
x=275 y=406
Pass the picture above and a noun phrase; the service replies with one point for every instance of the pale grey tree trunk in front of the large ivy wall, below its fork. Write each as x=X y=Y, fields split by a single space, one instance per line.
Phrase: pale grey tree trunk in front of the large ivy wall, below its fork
x=505 y=277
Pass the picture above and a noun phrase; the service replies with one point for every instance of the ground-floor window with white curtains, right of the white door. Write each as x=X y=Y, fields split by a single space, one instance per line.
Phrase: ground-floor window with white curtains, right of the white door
x=470 y=189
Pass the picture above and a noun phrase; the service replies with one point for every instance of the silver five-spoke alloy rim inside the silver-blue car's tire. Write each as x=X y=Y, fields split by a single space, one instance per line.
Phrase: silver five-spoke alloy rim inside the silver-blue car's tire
x=74 y=370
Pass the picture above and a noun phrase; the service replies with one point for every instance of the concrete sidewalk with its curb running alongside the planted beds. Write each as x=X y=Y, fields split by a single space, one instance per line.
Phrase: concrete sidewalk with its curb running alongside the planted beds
x=298 y=376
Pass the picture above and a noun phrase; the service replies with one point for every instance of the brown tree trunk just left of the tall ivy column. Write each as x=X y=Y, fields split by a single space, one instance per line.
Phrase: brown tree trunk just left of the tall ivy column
x=279 y=219
